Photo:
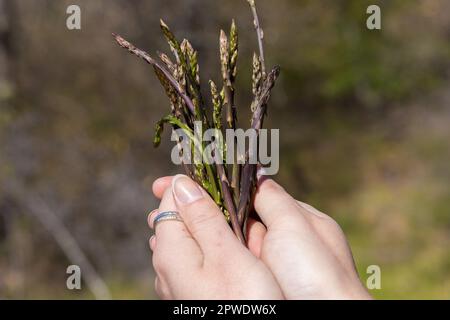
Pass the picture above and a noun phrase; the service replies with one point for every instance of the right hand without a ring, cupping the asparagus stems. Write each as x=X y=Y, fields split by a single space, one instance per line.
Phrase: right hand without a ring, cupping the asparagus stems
x=305 y=249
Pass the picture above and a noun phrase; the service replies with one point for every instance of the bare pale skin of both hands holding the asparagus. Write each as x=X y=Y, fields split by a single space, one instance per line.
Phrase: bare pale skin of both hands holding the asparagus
x=296 y=252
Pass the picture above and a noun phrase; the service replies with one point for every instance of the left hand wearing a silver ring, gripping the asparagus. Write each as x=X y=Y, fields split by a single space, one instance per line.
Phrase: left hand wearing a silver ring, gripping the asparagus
x=201 y=258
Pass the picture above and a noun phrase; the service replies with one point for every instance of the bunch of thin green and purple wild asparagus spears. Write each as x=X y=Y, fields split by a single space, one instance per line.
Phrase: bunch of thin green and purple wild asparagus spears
x=232 y=186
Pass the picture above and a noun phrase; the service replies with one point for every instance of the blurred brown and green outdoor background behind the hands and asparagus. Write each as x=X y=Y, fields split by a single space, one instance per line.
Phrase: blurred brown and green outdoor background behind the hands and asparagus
x=364 y=119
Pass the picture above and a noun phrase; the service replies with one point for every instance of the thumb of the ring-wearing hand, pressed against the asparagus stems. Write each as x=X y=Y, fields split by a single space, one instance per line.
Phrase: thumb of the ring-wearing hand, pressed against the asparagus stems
x=204 y=220
